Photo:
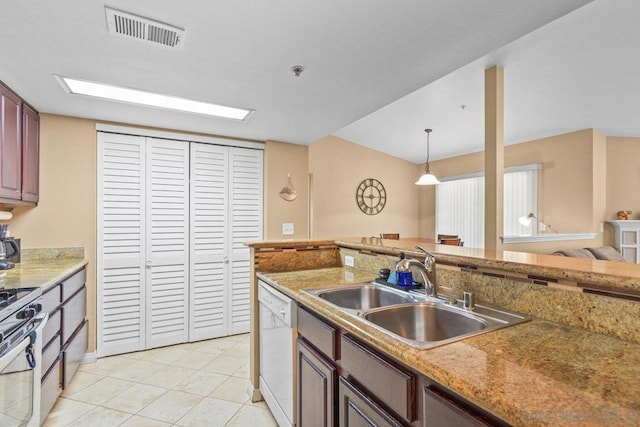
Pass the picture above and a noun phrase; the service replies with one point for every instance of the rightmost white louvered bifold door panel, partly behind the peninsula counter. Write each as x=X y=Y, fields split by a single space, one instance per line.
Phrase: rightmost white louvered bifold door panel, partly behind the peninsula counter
x=245 y=174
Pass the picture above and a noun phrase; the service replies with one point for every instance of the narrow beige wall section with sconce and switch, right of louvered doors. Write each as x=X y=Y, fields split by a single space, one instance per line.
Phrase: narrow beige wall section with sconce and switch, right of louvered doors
x=281 y=159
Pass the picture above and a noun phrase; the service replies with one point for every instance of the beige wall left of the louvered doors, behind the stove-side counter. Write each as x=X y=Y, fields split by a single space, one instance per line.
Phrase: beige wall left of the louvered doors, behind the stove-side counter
x=66 y=213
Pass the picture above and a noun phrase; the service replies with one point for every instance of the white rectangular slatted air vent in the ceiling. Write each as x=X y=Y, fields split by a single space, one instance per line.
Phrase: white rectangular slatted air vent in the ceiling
x=133 y=26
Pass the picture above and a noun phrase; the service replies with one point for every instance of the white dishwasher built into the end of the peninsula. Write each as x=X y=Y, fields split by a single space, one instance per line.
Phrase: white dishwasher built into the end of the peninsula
x=278 y=315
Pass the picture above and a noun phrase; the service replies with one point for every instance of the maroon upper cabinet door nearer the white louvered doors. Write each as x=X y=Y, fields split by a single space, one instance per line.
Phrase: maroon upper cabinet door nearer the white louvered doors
x=30 y=154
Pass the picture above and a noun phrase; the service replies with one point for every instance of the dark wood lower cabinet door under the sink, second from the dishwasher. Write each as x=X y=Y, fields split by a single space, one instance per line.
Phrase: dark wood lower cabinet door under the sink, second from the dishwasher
x=356 y=409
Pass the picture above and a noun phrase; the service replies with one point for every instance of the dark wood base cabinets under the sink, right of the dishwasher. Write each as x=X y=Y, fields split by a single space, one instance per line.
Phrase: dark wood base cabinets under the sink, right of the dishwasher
x=344 y=382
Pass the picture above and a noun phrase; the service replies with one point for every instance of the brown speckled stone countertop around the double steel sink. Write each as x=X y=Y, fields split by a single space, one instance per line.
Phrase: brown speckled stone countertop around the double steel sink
x=538 y=373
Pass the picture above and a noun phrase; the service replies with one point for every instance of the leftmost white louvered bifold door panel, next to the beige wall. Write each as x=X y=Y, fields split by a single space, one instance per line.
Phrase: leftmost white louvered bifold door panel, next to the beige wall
x=120 y=249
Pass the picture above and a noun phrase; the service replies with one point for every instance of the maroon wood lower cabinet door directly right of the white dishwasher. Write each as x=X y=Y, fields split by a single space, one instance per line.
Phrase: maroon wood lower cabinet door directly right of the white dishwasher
x=316 y=388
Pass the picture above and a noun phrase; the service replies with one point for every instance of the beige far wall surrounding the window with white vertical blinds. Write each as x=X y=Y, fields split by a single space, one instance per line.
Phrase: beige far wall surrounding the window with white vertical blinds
x=571 y=194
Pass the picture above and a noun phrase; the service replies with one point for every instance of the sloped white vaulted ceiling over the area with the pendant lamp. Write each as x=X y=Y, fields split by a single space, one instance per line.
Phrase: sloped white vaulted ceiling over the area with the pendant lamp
x=580 y=71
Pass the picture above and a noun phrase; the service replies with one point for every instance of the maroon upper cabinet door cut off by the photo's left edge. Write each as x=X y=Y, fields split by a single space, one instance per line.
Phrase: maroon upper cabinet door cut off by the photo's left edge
x=10 y=145
